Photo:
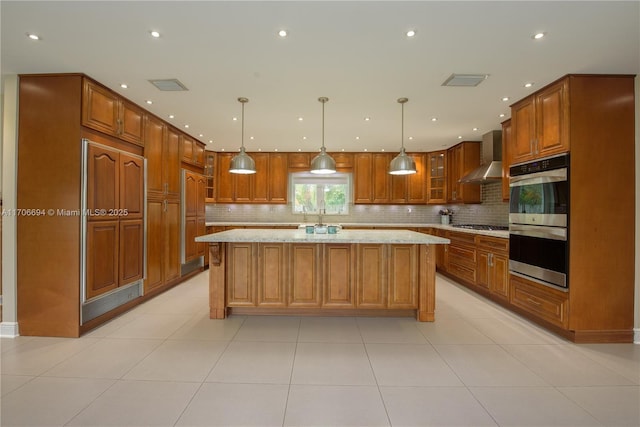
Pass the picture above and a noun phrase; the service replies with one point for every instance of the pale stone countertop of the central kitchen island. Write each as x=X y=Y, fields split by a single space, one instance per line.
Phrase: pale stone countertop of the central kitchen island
x=343 y=236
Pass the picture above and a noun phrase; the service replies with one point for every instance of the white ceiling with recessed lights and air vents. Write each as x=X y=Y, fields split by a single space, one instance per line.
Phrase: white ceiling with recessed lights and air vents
x=354 y=53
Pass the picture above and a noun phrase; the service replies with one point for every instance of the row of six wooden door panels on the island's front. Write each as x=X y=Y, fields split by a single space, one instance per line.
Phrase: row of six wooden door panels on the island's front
x=322 y=276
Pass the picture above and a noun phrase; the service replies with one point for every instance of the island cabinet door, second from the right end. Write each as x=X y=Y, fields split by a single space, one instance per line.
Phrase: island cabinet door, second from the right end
x=371 y=276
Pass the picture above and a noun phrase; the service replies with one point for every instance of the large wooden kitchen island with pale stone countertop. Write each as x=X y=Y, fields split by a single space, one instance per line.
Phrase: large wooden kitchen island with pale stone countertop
x=351 y=273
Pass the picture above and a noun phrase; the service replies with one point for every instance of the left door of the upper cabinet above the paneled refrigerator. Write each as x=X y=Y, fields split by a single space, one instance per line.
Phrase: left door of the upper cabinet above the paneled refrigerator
x=100 y=108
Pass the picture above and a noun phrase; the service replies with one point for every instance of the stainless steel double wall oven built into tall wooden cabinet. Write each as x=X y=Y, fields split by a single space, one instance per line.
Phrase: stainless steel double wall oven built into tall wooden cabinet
x=539 y=221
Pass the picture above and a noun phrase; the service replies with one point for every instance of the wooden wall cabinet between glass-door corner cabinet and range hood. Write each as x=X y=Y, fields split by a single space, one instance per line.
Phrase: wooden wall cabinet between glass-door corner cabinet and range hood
x=462 y=159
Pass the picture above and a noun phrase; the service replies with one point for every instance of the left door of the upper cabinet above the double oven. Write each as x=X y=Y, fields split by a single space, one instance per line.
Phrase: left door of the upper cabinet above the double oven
x=523 y=131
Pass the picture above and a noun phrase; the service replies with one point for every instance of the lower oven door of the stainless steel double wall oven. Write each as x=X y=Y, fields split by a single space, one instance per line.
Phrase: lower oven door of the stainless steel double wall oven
x=539 y=253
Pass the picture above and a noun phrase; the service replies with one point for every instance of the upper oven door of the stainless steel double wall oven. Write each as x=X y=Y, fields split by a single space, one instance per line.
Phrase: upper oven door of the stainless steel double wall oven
x=540 y=198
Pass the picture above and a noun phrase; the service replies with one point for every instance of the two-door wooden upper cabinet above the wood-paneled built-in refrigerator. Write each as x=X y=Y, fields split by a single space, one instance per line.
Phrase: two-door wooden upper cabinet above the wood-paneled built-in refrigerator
x=107 y=112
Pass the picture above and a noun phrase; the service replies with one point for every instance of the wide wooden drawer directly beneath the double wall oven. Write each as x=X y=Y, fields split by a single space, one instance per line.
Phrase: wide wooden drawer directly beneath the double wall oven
x=543 y=302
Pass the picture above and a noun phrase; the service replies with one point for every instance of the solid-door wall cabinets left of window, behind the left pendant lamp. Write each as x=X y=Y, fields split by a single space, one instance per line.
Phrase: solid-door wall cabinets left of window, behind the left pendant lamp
x=268 y=185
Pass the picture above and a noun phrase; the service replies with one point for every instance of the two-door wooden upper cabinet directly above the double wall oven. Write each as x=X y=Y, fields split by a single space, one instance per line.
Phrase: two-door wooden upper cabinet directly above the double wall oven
x=540 y=124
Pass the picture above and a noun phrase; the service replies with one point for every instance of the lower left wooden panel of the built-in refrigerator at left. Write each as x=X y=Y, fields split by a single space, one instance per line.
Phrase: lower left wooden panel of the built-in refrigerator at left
x=102 y=257
